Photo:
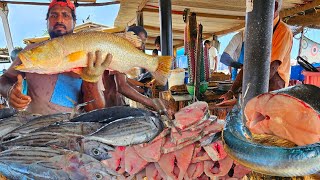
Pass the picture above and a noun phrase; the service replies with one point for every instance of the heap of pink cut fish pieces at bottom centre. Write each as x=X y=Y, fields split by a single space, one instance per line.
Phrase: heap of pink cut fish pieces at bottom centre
x=191 y=150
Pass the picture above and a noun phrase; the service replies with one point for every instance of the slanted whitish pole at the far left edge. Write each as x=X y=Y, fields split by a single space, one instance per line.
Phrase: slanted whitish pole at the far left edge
x=4 y=16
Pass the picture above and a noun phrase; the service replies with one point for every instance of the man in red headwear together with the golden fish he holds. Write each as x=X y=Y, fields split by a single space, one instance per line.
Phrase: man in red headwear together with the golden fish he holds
x=64 y=70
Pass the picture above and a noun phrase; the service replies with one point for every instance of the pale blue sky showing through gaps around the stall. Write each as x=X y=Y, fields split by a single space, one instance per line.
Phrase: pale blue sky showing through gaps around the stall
x=28 y=21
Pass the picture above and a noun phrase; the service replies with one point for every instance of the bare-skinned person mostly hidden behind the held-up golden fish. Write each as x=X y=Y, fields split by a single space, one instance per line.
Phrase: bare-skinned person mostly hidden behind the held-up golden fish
x=117 y=84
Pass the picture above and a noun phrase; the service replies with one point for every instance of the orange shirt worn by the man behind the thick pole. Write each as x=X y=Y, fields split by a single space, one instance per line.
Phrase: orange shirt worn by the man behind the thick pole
x=281 y=49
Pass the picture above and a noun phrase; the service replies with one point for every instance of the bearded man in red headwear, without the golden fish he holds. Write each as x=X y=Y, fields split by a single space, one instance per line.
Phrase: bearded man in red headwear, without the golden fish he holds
x=49 y=94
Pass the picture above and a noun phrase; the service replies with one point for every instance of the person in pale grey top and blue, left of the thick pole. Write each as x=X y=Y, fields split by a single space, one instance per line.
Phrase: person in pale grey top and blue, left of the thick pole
x=233 y=55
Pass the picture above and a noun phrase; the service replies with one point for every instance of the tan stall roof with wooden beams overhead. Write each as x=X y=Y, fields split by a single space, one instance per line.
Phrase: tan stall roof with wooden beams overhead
x=218 y=17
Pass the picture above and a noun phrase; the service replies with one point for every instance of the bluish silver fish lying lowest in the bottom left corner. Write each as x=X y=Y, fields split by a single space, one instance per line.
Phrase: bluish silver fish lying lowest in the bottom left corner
x=69 y=165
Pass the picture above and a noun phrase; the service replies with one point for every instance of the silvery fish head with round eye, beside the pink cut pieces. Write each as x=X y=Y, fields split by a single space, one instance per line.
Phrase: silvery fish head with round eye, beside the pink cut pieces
x=98 y=150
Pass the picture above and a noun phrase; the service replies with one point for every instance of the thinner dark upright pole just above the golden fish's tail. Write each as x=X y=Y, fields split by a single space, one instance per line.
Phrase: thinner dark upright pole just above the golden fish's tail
x=166 y=27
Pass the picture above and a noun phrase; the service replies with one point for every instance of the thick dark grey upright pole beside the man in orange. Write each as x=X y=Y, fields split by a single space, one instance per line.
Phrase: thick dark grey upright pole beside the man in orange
x=258 y=38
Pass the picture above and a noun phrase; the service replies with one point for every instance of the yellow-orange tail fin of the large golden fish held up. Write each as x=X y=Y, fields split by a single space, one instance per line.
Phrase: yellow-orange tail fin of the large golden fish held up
x=163 y=71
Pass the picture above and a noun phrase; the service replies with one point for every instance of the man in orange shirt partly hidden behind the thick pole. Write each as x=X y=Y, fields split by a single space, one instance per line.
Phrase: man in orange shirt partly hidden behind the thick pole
x=280 y=57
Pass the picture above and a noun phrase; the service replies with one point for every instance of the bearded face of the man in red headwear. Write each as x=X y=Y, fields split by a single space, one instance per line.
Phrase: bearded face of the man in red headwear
x=60 y=21
